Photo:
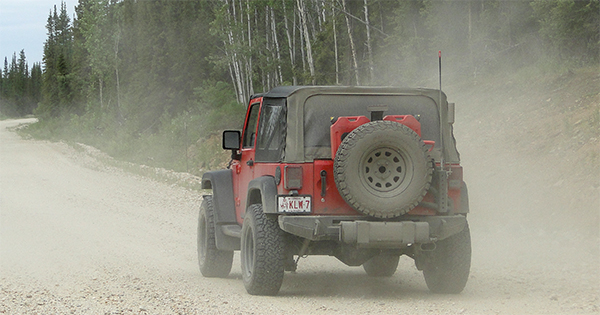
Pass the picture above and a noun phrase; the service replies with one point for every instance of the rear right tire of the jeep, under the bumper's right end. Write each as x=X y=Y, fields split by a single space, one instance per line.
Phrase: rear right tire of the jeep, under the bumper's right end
x=446 y=268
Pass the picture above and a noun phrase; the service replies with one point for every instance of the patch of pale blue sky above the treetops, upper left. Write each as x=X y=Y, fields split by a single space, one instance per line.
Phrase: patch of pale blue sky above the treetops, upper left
x=23 y=26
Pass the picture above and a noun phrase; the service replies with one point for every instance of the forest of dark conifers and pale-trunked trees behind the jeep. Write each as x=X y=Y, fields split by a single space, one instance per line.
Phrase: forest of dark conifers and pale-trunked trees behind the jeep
x=155 y=81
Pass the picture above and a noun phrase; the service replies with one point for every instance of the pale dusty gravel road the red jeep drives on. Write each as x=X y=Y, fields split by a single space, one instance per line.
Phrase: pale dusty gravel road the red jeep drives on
x=80 y=238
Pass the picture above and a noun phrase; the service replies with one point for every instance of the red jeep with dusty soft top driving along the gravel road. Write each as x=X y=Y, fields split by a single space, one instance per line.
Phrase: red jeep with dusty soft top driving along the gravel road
x=365 y=174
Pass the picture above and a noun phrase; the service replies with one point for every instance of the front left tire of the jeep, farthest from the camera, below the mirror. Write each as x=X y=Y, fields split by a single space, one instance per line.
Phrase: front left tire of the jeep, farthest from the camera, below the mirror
x=212 y=261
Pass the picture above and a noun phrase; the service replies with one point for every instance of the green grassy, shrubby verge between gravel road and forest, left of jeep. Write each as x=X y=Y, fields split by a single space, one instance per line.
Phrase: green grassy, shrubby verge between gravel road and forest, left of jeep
x=178 y=153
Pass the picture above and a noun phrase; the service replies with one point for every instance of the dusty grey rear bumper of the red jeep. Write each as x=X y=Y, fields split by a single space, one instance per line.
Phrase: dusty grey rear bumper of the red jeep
x=362 y=232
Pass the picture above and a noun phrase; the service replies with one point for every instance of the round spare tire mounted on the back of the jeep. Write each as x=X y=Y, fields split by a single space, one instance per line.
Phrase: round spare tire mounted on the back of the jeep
x=382 y=169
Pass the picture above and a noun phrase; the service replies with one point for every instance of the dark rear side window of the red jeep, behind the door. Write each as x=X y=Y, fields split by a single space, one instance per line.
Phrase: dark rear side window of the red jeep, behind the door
x=271 y=131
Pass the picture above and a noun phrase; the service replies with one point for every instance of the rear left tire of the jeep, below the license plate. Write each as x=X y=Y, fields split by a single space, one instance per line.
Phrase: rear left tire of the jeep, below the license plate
x=262 y=252
